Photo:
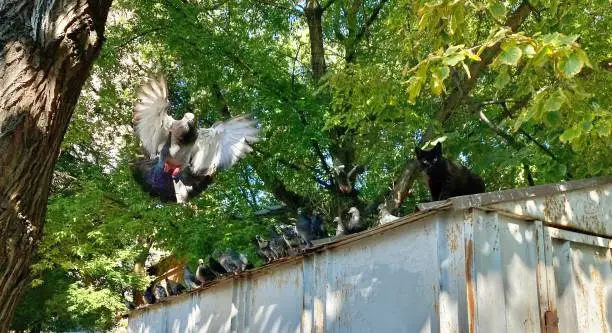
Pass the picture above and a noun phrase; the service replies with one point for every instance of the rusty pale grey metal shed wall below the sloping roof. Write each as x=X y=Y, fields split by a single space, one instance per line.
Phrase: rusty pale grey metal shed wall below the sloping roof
x=452 y=270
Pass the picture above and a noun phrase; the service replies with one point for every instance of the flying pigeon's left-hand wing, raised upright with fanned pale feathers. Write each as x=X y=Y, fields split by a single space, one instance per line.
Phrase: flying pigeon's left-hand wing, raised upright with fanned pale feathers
x=151 y=120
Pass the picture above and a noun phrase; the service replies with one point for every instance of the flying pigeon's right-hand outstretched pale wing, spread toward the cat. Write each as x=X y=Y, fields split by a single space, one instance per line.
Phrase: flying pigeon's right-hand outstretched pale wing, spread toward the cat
x=222 y=145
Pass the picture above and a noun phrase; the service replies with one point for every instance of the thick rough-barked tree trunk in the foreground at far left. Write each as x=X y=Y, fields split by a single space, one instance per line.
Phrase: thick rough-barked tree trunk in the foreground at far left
x=46 y=51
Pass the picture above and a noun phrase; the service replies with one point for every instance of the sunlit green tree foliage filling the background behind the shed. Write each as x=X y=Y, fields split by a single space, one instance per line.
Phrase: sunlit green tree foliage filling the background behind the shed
x=514 y=88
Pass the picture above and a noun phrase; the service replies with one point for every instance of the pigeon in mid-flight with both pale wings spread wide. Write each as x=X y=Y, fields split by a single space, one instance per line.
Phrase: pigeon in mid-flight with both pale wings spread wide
x=188 y=155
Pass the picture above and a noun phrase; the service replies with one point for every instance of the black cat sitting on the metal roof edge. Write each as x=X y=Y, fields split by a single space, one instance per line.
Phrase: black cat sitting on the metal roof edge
x=445 y=178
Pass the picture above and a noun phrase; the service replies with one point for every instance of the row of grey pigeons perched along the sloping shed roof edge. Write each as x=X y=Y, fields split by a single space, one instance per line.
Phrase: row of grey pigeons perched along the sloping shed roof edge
x=282 y=241
